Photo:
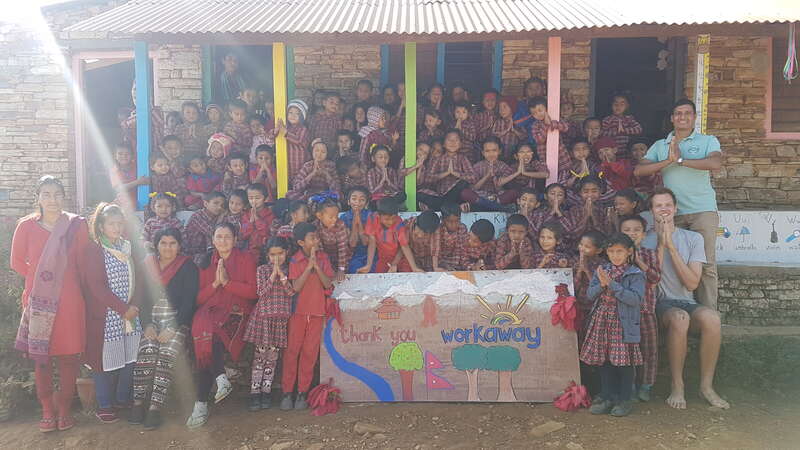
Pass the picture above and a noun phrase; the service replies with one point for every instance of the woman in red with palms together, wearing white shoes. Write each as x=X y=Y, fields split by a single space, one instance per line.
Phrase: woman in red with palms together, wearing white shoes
x=227 y=294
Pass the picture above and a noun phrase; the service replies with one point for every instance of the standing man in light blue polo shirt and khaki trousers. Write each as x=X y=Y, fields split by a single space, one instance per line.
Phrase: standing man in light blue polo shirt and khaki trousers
x=685 y=159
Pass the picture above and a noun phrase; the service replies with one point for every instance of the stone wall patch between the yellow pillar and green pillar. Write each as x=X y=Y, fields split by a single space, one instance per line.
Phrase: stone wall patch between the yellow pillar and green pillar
x=336 y=67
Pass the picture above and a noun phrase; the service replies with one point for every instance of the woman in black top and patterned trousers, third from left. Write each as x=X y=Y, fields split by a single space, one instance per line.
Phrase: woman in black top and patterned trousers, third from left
x=167 y=319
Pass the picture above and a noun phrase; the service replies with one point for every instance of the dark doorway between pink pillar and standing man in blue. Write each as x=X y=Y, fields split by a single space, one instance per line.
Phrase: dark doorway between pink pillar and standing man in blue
x=631 y=65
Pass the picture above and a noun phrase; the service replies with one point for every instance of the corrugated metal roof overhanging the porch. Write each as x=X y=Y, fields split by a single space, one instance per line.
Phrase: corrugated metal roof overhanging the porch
x=417 y=17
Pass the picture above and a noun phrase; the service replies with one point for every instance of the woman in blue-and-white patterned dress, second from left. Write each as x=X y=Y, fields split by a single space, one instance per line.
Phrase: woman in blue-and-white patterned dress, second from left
x=113 y=341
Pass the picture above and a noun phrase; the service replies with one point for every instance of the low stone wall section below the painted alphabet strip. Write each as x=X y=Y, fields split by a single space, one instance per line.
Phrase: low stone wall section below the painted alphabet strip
x=759 y=295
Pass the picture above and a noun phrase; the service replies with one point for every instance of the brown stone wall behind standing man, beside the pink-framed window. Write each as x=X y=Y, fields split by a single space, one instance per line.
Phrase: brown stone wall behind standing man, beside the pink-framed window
x=758 y=173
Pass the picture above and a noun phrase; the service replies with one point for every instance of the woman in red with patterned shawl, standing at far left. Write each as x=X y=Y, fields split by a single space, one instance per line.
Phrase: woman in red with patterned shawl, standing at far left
x=52 y=251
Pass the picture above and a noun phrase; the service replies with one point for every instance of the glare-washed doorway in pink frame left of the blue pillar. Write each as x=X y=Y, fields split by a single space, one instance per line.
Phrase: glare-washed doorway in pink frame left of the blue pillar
x=107 y=91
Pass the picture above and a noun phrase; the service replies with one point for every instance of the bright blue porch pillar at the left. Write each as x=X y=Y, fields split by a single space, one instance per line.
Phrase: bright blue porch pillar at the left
x=144 y=98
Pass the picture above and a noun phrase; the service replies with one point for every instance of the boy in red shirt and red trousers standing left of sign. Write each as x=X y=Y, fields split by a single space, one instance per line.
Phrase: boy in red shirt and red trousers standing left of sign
x=311 y=273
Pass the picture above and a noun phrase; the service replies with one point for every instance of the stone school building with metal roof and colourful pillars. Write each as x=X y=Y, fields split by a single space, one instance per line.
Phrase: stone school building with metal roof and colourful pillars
x=66 y=73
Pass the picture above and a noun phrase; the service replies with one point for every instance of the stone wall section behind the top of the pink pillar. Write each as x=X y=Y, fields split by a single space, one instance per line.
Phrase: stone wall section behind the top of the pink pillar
x=525 y=59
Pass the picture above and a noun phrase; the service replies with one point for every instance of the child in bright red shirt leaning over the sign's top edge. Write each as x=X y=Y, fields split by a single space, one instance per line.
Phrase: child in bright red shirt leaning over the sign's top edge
x=388 y=235
